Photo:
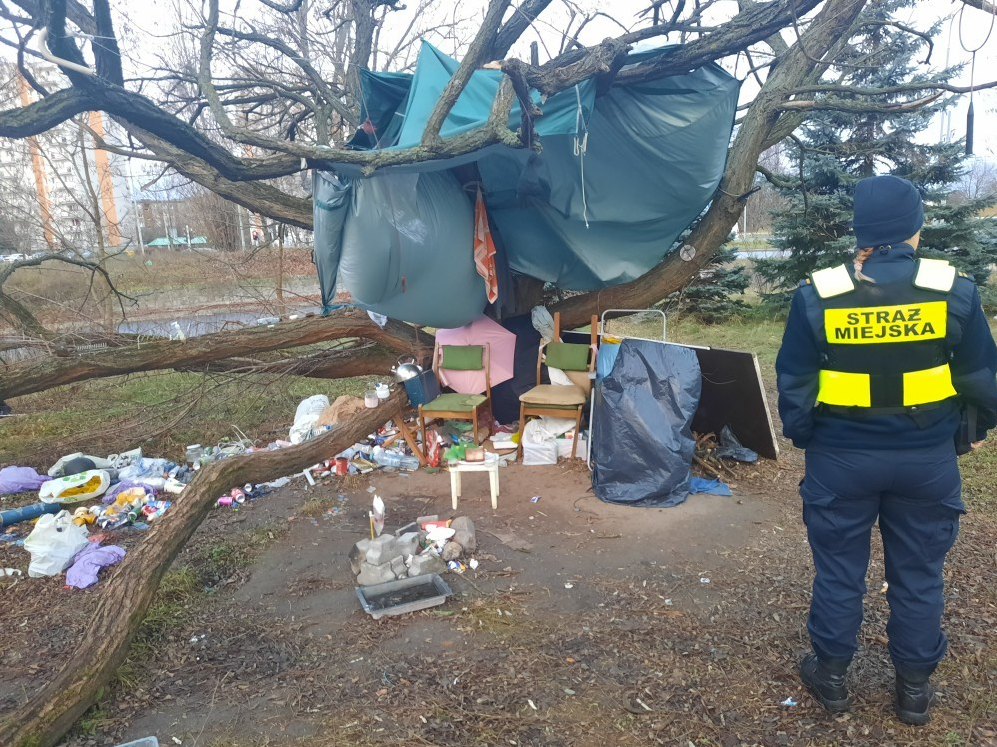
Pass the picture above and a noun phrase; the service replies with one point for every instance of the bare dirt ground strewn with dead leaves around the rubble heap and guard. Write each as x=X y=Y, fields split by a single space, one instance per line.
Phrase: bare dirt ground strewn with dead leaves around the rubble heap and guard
x=585 y=624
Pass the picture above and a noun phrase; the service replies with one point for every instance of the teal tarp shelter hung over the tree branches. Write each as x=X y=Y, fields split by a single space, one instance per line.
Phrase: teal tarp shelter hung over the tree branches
x=620 y=176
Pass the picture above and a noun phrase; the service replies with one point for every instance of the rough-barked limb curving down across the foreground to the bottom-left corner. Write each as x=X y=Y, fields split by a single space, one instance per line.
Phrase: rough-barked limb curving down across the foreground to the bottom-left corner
x=129 y=588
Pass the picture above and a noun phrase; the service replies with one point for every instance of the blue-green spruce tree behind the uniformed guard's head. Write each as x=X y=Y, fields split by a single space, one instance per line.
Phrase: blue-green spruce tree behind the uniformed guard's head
x=835 y=149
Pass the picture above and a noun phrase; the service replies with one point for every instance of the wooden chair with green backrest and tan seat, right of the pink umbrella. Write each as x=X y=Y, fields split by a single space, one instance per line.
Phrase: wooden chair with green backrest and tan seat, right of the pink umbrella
x=561 y=400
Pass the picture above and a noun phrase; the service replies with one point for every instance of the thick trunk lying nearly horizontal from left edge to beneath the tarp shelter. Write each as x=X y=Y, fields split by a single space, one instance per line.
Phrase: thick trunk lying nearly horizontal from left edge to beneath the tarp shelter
x=39 y=374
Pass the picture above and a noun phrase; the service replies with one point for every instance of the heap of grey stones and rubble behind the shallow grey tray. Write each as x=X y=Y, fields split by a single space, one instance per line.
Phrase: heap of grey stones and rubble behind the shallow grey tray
x=389 y=556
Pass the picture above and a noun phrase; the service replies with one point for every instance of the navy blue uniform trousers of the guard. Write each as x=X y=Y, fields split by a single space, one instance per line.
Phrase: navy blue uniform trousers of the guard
x=915 y=495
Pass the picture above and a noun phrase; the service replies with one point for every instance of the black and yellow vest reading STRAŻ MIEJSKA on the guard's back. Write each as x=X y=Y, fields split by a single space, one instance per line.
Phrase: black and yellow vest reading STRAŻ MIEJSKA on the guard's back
x=884 y=343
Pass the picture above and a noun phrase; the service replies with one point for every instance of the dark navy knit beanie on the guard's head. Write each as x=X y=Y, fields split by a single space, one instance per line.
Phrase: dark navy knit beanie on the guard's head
x=888 y=210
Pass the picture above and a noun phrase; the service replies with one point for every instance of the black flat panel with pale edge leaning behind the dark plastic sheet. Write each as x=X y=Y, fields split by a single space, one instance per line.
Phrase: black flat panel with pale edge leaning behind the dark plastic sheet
x=733 y=395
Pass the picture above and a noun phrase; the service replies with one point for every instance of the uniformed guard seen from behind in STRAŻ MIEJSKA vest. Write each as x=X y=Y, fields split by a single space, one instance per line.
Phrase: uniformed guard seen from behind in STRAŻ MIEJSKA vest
x=878 y=360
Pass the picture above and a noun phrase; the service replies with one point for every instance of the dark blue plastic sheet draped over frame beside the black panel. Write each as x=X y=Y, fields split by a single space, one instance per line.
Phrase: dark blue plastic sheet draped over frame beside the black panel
x=642 y=443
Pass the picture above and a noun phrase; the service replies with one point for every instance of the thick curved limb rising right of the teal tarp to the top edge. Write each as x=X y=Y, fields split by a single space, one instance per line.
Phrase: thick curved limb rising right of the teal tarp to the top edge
x=679 y=267
